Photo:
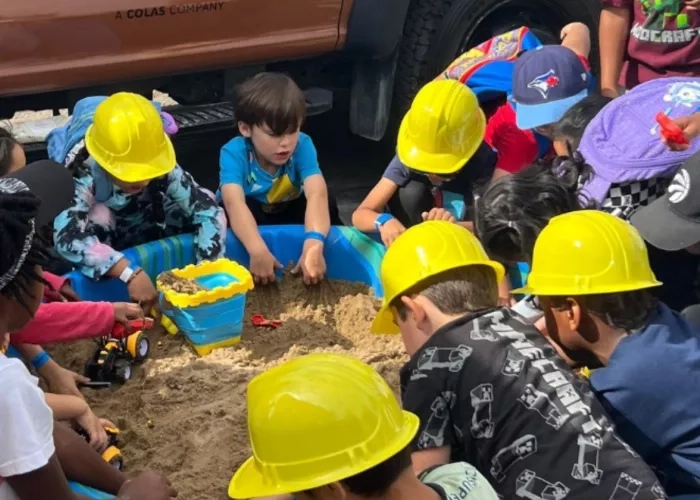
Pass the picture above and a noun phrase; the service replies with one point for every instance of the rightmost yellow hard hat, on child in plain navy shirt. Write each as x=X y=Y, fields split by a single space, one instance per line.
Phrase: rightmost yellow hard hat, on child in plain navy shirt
x=588 y=252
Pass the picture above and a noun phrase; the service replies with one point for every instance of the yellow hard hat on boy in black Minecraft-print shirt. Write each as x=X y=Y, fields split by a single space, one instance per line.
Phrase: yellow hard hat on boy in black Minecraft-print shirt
x=426 y=250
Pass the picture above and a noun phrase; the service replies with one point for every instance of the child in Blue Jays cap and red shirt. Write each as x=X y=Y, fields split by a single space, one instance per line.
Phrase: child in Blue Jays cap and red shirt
x=490 y=70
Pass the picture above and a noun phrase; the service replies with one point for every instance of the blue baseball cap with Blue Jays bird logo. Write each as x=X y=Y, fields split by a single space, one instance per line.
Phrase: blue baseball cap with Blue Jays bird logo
x=547 y=81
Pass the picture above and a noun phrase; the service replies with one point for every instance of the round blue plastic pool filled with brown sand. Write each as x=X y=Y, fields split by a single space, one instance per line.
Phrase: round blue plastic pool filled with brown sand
x=185 y=415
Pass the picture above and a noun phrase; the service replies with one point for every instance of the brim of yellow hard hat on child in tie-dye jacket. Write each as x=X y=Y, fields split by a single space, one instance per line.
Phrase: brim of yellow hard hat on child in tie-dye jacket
x=161 y=164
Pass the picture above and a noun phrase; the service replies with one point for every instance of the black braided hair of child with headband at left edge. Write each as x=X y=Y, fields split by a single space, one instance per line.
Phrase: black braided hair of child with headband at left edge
x=16 y=213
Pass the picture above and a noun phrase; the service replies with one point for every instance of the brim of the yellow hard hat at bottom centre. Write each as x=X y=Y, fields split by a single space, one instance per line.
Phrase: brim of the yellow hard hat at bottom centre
x=250 y=482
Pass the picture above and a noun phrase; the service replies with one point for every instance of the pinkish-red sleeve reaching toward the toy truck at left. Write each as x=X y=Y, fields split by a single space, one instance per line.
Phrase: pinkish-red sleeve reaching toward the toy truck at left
x=57 y=322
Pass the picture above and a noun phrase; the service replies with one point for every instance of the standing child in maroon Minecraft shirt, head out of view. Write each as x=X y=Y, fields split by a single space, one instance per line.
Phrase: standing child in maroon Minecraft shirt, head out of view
x=641 y=40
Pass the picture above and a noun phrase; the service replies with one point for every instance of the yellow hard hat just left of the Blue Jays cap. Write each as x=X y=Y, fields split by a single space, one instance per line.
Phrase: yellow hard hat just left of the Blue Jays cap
x=442 y=130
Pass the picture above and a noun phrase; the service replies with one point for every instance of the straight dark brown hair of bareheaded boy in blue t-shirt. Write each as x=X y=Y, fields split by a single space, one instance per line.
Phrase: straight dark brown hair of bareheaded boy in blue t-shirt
x=271 y=99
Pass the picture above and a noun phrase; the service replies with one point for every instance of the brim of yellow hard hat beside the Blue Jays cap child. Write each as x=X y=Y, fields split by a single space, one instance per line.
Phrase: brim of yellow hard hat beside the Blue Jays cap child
x=432 y=163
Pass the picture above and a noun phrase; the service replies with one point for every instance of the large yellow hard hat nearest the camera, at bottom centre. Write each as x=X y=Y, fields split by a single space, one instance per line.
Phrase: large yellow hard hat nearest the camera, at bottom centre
x=316 y=420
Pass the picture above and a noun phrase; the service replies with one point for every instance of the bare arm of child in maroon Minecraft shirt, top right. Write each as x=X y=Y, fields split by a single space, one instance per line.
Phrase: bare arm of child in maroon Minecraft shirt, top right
x=613 y=33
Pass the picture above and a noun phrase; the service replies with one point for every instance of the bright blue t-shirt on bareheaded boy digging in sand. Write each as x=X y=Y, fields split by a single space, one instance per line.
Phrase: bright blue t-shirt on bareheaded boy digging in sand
x=238 y=165
